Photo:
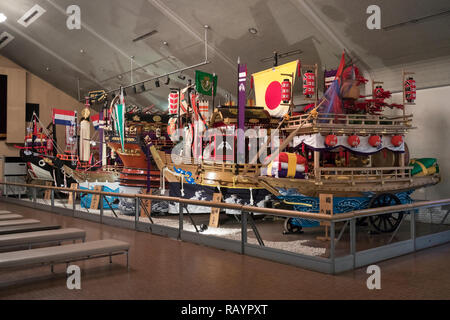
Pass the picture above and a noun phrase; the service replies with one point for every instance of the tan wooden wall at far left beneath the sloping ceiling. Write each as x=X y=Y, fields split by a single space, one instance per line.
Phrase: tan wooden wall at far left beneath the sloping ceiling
x=24 y=87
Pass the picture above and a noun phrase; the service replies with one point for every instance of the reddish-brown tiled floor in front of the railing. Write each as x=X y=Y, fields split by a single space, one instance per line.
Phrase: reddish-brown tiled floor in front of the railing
x=162 y=268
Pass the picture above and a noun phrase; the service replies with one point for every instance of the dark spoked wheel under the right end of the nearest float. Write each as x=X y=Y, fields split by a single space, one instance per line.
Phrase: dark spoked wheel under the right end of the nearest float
x=388 y=222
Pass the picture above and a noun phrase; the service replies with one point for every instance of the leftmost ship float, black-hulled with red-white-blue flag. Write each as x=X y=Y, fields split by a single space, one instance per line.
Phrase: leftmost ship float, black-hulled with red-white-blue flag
x=76 y=163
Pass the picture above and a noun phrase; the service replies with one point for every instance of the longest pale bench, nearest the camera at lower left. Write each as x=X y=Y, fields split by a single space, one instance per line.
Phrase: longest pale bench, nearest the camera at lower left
x=64 y=254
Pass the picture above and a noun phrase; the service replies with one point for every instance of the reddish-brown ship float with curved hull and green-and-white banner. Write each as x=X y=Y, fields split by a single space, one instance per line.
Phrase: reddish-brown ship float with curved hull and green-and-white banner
x=128 y=134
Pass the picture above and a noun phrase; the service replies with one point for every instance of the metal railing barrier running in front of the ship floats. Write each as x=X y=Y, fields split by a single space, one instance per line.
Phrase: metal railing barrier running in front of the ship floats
x=332 y=264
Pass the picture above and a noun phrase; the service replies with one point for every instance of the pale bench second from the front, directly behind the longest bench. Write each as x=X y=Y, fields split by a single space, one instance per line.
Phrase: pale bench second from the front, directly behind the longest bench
x=39 y=237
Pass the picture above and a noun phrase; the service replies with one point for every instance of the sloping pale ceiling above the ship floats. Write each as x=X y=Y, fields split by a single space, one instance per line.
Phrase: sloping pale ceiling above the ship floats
x=320 y=28
